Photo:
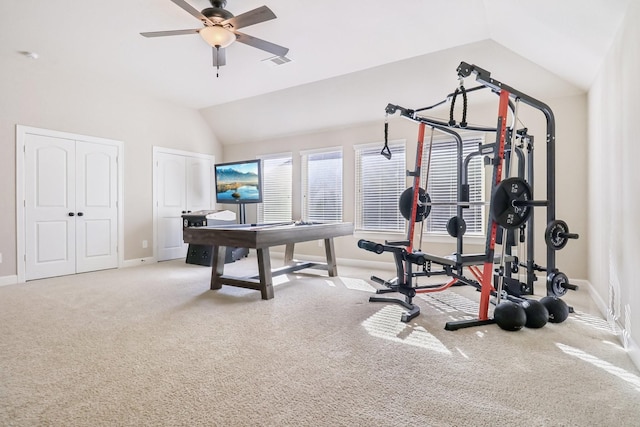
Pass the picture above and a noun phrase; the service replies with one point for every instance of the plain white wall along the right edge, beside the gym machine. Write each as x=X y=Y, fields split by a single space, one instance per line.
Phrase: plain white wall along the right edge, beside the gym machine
x=614 y=182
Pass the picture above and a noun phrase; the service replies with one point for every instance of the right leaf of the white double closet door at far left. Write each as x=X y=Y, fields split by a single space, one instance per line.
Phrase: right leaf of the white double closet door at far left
x=96 y=207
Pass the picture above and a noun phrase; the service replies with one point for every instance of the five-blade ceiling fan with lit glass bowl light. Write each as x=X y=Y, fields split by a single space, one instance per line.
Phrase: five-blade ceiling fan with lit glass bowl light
x=220 y=29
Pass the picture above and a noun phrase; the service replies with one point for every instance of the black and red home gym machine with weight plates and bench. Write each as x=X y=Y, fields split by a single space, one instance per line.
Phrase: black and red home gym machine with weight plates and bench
x=510 y=212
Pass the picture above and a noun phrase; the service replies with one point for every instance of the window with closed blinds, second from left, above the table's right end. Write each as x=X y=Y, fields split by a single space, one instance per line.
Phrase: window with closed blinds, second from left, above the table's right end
x=322 y=185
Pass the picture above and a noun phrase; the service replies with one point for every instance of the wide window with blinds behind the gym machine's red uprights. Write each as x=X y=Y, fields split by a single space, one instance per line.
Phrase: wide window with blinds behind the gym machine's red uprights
x=442 y=186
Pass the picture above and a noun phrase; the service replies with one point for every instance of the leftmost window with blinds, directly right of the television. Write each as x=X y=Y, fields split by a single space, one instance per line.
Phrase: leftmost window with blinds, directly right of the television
x=276 y=189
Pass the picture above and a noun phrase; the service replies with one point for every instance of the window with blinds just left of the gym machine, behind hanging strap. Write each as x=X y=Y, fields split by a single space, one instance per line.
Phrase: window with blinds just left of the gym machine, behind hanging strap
x=379 y=183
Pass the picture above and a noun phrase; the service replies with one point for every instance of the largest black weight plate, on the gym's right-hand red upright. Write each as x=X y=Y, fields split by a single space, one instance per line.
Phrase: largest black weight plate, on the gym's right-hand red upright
x=502 y=210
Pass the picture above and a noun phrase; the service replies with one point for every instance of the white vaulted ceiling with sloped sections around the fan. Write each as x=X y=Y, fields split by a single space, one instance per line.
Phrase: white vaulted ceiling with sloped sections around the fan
x=348 y=58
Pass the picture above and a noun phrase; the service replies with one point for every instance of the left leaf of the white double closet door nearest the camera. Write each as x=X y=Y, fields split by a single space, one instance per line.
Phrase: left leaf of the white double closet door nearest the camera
x=49 y=206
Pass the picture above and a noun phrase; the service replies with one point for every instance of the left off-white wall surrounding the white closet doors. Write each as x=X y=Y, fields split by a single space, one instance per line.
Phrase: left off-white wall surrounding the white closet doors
x=46 y=95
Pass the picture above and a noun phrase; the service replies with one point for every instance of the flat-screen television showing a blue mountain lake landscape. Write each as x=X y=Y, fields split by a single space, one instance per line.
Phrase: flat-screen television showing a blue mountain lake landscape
x=239 y=182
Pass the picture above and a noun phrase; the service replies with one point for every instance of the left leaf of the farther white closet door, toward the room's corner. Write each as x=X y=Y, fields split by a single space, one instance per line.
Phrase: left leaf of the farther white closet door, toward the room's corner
x=172 y=202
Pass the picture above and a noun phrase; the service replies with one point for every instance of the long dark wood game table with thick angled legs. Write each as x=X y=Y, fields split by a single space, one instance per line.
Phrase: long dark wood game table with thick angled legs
x=261 y=237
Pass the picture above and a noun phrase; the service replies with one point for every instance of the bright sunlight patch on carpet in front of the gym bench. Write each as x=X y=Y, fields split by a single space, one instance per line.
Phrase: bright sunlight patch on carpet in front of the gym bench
x=386 y=324
